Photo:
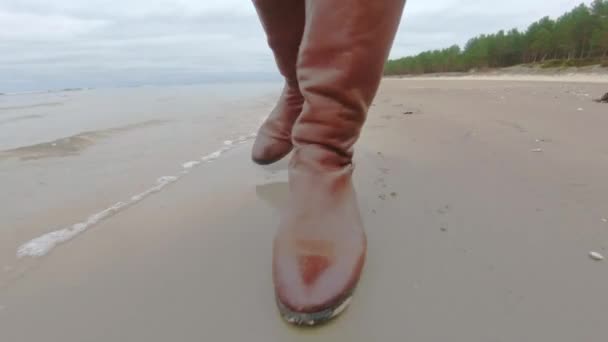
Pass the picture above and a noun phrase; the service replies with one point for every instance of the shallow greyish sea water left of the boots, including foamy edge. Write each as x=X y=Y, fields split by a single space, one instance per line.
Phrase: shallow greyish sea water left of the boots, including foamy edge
x=70 y=159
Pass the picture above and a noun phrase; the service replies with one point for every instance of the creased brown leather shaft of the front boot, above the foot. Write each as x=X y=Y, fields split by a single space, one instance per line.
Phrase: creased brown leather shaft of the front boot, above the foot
x=341 y=59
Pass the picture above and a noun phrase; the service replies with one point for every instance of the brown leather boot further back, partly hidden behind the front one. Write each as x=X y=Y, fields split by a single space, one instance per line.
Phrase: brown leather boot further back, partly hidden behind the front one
x=283 y=21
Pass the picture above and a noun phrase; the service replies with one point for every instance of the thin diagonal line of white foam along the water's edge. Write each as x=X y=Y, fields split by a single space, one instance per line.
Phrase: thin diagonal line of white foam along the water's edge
x=42 y=245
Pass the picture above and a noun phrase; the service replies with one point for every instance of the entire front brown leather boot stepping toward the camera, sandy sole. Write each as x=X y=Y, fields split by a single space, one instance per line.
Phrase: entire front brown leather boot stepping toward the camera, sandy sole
x=320 y=247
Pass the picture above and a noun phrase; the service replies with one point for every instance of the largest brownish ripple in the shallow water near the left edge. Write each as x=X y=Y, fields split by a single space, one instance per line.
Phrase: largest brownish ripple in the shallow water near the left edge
x=72 y=145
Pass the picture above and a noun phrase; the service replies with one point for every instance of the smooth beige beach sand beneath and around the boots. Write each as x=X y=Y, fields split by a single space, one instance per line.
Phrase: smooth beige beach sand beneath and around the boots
x=472 y=236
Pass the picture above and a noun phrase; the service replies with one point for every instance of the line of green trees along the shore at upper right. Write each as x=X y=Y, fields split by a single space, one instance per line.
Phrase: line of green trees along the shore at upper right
x=578 y=37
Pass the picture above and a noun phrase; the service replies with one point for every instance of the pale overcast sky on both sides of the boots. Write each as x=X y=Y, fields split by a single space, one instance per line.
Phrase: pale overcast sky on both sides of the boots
x=46 y=44
